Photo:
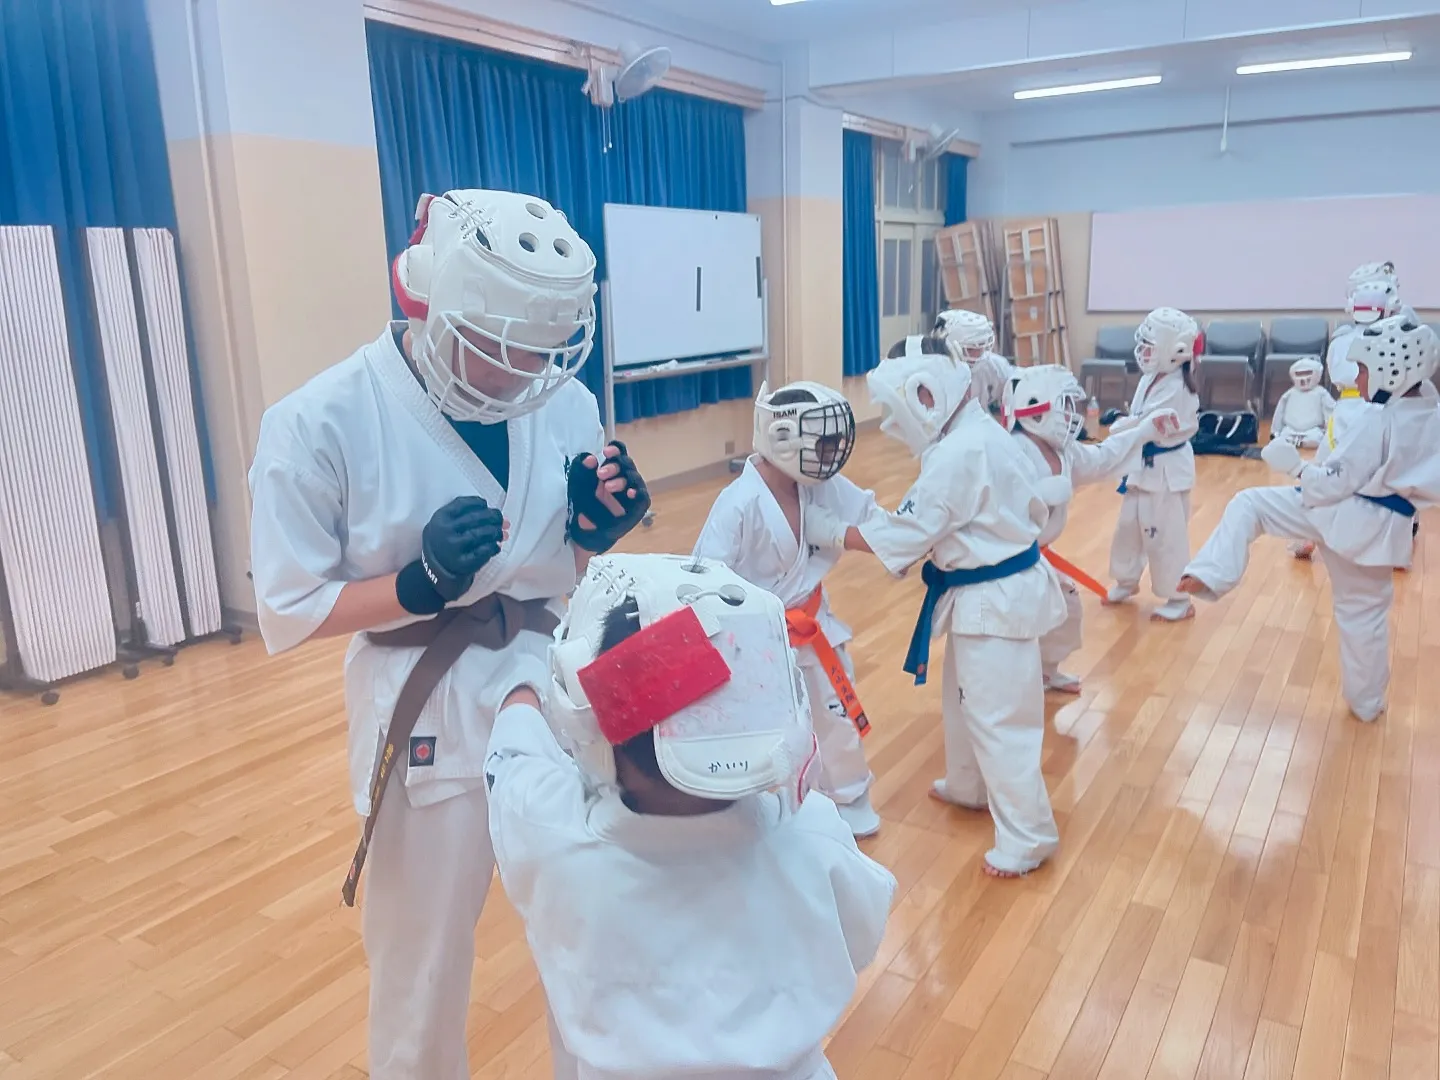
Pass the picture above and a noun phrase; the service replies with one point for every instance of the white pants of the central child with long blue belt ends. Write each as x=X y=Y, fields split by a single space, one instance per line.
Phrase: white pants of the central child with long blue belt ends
x=994 y=726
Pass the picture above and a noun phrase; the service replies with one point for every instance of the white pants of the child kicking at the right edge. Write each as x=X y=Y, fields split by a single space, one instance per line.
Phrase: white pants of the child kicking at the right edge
x=1362 y=594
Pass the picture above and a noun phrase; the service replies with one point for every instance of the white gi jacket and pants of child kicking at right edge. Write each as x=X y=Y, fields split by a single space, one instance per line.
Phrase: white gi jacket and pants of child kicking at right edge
x=1395 y=450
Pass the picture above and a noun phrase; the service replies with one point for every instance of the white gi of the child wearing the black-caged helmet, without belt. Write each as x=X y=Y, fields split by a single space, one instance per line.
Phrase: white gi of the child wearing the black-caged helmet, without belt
x=748 y=532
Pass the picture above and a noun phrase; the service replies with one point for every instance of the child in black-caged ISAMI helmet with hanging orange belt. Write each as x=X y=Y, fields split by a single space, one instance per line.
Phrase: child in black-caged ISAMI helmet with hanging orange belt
x=804 y=436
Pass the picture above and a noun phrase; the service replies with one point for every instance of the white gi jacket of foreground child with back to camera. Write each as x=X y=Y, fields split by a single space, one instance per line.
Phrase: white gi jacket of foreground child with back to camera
x=722 y=947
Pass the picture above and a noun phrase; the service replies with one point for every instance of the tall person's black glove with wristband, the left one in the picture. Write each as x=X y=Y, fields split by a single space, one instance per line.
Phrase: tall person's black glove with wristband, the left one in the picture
x=460 y=539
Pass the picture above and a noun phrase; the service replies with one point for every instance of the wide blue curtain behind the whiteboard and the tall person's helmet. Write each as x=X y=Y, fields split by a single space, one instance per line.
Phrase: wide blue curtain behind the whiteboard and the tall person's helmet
x=457 y=116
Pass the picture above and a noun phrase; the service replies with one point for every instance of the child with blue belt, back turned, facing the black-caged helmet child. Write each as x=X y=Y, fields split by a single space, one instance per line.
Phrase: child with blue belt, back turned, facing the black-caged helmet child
x=976 y=510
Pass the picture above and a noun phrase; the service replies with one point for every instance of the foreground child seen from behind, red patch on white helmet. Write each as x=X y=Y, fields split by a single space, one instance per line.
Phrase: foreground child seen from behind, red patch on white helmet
x=693 y=912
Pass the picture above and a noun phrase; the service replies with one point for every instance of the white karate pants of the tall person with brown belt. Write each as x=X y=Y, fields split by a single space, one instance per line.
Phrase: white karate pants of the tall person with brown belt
x=426 y=885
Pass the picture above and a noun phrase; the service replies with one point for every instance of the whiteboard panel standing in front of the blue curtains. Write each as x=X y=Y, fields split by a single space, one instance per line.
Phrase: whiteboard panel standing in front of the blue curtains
x=682 y=284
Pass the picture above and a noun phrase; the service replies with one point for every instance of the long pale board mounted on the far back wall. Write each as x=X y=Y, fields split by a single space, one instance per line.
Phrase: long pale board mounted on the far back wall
x=1284 y=256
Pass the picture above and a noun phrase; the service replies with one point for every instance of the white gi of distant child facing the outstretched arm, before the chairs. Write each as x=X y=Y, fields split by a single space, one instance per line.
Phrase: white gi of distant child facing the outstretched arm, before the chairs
x=1154 y=525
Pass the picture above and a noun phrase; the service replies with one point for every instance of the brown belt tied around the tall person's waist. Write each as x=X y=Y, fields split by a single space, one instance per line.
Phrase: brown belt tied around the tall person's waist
x=492 y=623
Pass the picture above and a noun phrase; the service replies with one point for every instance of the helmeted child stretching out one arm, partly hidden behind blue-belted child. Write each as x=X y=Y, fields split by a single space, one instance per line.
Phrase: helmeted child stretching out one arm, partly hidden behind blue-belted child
x=1045 y=407
